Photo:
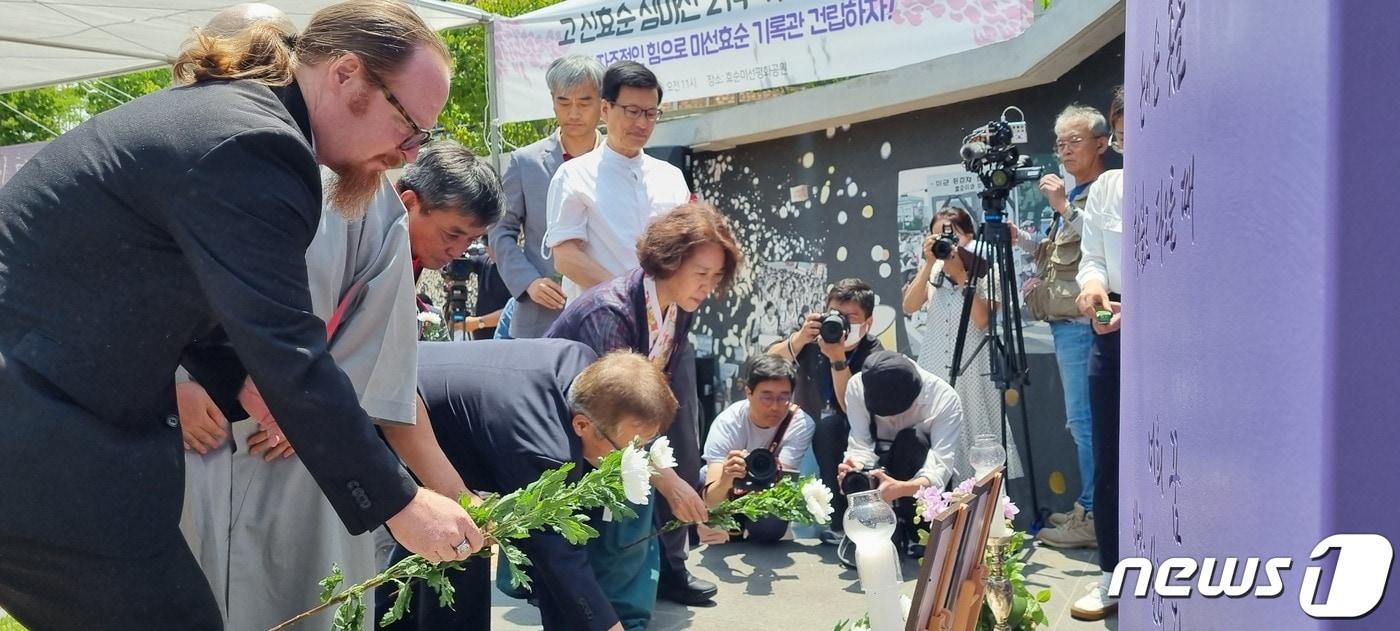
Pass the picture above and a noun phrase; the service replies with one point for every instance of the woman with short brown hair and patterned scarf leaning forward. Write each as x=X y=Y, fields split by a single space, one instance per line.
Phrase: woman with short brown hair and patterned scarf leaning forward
x=685 y=255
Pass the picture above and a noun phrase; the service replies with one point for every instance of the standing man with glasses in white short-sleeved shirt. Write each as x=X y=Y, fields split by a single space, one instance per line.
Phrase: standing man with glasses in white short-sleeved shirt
x=600 y=204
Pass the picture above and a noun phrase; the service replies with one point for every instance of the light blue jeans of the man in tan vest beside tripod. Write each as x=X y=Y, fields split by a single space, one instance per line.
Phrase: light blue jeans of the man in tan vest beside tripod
x=1072 y=350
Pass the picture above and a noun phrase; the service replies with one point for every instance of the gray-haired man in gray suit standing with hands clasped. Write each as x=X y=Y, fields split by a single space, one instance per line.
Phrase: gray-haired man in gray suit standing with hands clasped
x=575 y=85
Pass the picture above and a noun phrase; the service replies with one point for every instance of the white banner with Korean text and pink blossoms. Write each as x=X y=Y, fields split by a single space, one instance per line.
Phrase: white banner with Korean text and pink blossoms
x=709 y=48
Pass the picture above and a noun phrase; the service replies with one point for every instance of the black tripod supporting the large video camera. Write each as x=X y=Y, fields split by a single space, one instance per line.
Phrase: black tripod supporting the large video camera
x=1003 y=339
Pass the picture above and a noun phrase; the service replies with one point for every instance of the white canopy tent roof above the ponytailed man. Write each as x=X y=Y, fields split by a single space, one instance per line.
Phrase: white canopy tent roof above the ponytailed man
x=45 y=43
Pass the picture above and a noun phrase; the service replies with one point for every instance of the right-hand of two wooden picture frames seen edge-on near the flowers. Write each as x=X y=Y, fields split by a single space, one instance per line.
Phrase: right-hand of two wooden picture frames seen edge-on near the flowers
x=968 y=576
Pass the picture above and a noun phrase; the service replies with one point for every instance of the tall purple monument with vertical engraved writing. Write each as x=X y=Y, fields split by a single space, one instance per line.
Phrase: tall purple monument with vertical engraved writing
x=1261 y=367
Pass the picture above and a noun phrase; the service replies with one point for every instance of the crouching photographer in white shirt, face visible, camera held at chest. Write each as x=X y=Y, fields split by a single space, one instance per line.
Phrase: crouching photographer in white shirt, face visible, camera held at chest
x=755 y=441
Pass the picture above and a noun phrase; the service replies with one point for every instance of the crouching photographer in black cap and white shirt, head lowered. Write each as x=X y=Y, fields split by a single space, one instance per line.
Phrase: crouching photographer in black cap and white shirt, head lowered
x=905 y=425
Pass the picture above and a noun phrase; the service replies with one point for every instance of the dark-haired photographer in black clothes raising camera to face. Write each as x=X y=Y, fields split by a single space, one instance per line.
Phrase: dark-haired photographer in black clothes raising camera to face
x=828 y=355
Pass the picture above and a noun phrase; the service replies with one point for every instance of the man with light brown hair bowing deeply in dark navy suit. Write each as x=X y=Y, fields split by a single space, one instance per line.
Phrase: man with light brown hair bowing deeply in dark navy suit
x=507 y=412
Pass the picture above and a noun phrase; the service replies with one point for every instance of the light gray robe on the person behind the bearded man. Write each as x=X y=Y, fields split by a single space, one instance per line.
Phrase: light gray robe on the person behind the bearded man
x=262 y=532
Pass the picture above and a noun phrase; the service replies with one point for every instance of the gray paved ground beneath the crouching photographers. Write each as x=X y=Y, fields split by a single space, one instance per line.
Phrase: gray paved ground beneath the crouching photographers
x=799 y=586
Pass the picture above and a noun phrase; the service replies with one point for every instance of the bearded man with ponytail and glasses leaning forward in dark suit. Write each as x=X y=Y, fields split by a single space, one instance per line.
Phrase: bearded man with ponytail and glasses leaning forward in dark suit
x=173 y=232
